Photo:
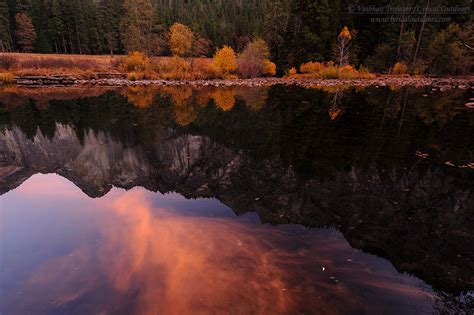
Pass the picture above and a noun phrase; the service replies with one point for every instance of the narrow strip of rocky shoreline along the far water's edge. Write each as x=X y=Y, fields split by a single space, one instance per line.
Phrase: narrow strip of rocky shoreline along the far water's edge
x=120 y=81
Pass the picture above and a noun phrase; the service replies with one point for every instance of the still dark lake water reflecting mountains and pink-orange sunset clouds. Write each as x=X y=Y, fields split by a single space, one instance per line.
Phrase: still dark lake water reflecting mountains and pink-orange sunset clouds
x=236 y=201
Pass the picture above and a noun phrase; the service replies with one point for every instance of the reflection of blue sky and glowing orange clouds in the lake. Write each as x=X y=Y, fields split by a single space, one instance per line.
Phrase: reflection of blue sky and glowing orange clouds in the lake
x=137 y=252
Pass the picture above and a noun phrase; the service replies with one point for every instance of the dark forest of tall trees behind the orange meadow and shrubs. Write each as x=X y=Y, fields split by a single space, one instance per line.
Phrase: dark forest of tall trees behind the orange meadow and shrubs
x=296 y=31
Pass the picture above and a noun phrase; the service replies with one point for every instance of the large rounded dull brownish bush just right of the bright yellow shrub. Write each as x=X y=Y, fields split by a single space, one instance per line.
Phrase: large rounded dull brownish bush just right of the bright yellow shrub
x=253 y=60
